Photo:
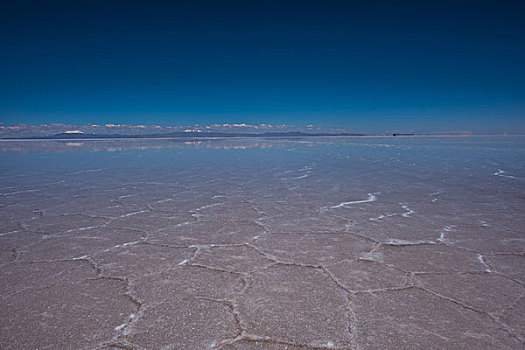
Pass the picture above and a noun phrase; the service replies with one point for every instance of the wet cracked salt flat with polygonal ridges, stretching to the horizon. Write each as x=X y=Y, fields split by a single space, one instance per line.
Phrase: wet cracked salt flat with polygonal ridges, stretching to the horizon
x=333 y=243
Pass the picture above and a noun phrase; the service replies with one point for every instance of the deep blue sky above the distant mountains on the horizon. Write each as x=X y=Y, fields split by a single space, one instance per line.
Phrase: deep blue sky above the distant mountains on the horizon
x=372 y=65
